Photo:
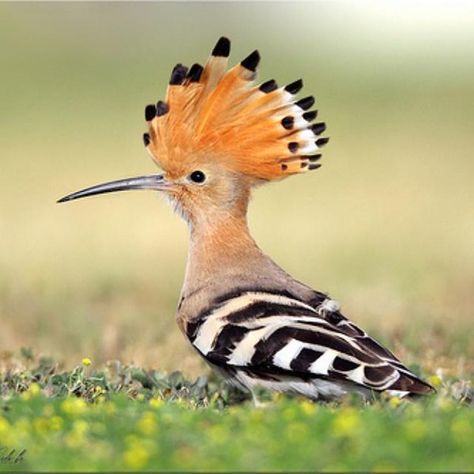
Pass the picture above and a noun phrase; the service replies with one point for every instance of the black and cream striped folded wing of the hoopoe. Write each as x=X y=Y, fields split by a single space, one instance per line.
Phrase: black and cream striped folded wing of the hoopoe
x=265 y=334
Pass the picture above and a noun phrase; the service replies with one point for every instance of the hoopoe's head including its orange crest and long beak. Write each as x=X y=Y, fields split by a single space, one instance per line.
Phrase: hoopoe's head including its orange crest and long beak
x=216 y=135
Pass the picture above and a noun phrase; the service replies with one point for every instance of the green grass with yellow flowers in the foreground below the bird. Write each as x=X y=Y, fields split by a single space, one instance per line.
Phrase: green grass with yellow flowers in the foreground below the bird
x=126 y=418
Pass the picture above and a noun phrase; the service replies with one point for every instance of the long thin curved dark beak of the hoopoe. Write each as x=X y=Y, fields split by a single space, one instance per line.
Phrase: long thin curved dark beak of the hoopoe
x=155 y=182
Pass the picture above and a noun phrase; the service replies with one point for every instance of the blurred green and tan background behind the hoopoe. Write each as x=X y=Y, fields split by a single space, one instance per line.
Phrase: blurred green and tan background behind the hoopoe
x=386 y=226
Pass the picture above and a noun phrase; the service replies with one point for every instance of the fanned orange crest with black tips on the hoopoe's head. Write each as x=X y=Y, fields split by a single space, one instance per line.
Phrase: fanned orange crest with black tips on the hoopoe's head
x=216 y=115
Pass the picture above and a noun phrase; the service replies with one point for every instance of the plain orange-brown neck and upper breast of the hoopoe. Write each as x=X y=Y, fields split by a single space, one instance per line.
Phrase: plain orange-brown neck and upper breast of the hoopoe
x=223 y=257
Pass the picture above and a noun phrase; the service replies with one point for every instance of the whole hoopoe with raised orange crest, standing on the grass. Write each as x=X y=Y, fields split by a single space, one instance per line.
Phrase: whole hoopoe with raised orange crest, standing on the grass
x=217 y=136
